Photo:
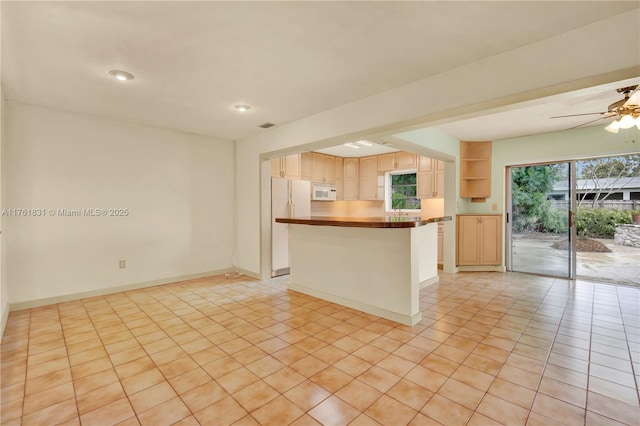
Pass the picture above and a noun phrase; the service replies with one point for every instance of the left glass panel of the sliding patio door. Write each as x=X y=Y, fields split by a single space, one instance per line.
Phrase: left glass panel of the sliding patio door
x=540 y=231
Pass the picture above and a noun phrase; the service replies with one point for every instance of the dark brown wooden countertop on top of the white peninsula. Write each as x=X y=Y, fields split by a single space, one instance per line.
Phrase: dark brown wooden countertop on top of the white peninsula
x=364 y=222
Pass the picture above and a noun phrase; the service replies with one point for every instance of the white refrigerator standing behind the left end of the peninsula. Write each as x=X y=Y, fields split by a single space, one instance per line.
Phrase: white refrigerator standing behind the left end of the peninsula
x=289 y=198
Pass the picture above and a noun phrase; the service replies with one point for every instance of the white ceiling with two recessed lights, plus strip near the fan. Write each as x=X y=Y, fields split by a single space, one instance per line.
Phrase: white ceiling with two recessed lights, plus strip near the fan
x=194 y=60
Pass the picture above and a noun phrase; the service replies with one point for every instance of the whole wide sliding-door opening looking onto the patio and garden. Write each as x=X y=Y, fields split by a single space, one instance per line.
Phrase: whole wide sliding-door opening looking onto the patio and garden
x=575 y=219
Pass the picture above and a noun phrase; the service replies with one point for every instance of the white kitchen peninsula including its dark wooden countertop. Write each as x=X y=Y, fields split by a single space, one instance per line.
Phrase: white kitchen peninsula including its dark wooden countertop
x=375 y=265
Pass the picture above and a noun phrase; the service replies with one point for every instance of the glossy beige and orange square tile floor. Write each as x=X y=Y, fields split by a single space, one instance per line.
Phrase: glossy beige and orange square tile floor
x=492 y=349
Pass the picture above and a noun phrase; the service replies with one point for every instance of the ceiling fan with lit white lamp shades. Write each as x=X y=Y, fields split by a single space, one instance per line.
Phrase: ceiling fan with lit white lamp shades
x=626 y=111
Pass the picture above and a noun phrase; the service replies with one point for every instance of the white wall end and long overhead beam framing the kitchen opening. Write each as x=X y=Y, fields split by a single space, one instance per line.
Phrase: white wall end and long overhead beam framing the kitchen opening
x=532 y=71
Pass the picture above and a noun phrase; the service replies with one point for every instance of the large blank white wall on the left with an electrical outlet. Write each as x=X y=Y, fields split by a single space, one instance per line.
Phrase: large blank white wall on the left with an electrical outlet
x=178 y=188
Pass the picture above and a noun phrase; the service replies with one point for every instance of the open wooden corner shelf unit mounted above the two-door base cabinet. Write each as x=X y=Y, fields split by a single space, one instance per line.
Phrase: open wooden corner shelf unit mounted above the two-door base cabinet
x=475 y=169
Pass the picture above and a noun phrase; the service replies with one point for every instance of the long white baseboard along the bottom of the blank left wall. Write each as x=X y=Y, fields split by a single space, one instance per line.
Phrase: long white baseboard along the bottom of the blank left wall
x=103 y=291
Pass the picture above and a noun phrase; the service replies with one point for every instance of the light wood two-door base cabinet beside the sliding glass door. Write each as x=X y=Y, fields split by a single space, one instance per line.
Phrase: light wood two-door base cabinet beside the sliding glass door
x=479 y=240
